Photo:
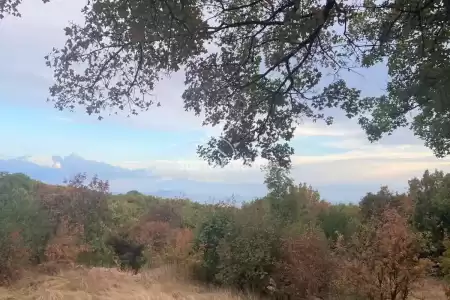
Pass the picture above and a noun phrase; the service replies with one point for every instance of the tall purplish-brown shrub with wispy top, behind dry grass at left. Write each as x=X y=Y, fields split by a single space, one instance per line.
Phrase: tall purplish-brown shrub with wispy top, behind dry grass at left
x=79 y=216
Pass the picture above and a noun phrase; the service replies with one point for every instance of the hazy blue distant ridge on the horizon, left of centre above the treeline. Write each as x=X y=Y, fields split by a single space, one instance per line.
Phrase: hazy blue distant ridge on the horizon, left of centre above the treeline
x=56 y=169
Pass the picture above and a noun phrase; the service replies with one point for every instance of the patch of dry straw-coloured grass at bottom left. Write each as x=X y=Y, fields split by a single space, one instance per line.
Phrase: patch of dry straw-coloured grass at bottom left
x=103 y=284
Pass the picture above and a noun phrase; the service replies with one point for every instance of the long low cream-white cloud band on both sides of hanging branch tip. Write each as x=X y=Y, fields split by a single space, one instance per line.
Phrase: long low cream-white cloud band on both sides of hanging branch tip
x=378 y=164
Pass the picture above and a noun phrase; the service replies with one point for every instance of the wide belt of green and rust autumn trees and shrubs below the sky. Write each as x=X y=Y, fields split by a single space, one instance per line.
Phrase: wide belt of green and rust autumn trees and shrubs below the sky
x=290 y=244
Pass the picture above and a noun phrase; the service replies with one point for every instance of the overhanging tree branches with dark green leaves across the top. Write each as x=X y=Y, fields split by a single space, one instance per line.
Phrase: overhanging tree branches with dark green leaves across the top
x=259 y=66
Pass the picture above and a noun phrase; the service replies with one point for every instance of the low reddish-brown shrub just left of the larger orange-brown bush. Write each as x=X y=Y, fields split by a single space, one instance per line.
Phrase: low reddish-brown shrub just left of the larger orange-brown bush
x=306 y=268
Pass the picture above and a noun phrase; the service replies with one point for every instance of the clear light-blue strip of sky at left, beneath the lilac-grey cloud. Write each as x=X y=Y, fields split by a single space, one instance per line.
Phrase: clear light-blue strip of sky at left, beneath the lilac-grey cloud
x=45 y=131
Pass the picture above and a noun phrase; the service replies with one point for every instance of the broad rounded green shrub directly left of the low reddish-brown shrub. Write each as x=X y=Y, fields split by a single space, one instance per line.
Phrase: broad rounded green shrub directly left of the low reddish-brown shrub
x=248 y=251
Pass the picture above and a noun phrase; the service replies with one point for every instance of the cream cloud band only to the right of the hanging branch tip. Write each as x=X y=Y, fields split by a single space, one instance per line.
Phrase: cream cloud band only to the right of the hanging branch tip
x=382 y=167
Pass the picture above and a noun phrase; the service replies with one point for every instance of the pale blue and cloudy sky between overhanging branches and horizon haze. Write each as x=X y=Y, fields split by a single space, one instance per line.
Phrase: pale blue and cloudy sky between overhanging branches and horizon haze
x=165 y=139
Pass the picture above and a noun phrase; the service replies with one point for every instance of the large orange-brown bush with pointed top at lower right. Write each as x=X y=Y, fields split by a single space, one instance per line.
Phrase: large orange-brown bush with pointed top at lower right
x=382 y=261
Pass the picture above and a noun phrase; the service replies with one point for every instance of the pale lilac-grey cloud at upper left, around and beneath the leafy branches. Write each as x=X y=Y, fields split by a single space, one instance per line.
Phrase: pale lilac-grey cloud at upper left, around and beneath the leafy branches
x=25 y=42
